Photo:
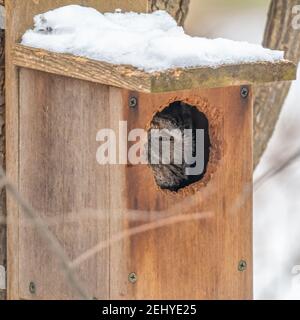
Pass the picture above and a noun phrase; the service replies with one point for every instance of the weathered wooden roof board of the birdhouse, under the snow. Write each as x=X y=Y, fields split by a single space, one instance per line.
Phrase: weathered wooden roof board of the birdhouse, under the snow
x=131 y=78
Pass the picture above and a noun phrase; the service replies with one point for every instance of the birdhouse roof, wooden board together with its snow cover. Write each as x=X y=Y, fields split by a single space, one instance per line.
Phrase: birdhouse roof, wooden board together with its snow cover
x=142 y=52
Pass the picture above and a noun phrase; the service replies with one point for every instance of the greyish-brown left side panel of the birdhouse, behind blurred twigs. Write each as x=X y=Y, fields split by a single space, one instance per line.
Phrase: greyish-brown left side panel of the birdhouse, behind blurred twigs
x=62 y=181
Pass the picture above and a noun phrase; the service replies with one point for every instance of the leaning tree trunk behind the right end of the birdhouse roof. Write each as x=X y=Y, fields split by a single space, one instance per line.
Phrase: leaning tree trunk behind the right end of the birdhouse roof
x=269 y=99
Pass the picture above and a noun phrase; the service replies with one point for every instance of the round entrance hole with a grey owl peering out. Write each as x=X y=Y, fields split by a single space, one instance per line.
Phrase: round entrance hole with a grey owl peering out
x=178 y=146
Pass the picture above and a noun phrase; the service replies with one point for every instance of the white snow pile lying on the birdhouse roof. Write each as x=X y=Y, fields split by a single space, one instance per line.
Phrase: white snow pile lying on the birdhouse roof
x=152 y=42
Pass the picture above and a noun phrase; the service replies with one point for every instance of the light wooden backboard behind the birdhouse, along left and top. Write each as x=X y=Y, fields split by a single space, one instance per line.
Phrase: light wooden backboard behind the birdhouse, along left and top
x=19 y=17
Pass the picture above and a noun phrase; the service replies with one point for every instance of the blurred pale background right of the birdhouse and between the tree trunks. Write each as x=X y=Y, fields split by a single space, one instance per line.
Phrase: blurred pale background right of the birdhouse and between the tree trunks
x=277 y=200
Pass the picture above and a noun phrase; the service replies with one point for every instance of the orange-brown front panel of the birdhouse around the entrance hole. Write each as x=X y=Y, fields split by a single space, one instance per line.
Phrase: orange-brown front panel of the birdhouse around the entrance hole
x=193 y=259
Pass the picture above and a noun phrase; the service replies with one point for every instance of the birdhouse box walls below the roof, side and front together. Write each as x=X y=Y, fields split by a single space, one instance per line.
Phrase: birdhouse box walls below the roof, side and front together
x=116 y=221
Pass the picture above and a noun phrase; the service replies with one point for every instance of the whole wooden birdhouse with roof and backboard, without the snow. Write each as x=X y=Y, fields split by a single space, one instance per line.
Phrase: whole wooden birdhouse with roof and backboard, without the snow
x=128 y=231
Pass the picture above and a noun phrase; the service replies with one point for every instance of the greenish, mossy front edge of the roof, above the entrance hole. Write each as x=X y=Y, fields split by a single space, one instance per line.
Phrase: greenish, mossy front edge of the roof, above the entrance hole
x=224 y=76
